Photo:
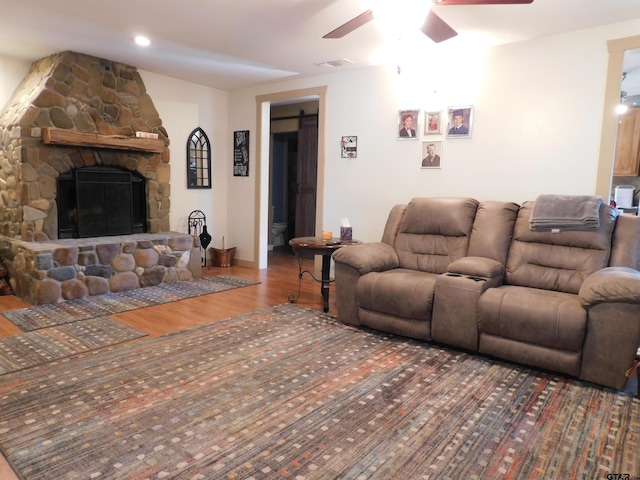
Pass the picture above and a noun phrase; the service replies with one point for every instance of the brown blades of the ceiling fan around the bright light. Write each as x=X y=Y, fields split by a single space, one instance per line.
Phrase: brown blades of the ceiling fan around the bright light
x=433 y=27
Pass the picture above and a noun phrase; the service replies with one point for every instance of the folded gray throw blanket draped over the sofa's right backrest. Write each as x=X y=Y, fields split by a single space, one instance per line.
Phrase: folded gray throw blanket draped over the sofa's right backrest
x=565 y=212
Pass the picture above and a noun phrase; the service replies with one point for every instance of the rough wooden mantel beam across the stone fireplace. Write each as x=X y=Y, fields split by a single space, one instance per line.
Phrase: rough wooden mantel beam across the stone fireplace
x=57 y=136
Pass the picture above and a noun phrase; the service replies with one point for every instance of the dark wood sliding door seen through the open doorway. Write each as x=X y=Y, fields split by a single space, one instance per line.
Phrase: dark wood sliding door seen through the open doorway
x=307 y=177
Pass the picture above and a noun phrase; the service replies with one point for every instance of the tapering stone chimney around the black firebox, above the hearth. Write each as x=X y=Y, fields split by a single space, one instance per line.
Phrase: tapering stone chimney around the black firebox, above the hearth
x=76 y=93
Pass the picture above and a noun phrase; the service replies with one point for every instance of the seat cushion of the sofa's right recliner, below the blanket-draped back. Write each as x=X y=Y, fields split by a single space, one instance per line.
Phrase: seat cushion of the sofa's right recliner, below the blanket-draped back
x=533 y=316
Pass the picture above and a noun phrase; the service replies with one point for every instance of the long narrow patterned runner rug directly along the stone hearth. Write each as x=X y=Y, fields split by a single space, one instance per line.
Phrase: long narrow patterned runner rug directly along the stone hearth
x=50 y=315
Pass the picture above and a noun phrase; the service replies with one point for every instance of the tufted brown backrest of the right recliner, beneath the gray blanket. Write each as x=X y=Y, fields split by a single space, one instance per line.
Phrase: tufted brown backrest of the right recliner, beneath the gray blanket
x=557 y=261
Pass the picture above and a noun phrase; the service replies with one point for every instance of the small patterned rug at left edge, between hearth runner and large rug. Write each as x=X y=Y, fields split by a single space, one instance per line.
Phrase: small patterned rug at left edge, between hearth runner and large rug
x=48 y=344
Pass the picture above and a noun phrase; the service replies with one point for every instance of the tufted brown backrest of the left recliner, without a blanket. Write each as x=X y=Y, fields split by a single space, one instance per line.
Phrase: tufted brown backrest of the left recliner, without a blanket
x=434 y=232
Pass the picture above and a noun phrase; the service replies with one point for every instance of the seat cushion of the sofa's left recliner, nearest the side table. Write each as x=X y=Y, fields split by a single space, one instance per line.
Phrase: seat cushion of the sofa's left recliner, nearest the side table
x=399 y=292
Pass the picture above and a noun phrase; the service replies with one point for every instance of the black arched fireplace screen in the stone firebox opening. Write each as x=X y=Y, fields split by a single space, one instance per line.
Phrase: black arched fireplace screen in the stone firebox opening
x=101 y=201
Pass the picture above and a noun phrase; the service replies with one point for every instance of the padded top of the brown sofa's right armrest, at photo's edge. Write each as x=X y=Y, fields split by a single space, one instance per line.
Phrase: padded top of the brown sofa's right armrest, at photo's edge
x=609 y=285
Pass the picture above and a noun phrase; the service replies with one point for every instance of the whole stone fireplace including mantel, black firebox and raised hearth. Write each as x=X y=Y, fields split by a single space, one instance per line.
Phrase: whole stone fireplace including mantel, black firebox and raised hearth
x=84 y=170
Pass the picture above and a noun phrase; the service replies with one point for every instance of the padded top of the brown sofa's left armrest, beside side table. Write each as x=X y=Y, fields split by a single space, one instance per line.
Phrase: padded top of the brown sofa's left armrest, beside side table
x=368 y=257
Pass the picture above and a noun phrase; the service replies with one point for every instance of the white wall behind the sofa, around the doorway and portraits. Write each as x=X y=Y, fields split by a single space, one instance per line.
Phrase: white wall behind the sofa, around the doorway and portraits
x=537 y=119
